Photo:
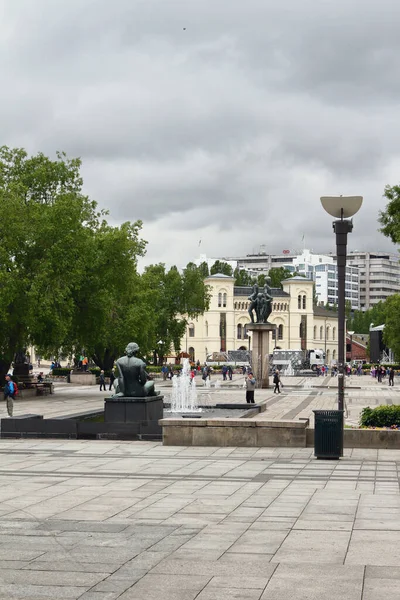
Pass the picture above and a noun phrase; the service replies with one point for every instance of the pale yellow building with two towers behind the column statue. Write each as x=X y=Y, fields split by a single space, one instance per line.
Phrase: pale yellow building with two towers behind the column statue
x=300 y=325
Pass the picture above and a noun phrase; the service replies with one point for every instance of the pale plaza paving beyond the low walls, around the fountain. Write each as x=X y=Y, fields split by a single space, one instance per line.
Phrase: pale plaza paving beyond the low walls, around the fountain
x=299 y=397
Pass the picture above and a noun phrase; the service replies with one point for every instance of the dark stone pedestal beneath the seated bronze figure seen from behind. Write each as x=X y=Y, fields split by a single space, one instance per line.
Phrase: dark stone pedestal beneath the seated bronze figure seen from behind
x=142 y=414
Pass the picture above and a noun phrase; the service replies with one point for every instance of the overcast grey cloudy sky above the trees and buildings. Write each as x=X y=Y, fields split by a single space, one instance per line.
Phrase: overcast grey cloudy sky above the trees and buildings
x=215 y=120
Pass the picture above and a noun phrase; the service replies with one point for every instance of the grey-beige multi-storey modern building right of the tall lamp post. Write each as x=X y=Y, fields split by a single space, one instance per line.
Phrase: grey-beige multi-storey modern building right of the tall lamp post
x=379 y=275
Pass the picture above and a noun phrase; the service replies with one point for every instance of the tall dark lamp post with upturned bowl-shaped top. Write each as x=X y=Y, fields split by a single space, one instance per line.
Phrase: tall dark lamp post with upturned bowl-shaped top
x=342 y=208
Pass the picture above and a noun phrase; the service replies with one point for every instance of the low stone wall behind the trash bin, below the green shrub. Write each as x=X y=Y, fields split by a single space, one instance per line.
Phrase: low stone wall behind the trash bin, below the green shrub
x=378 y=439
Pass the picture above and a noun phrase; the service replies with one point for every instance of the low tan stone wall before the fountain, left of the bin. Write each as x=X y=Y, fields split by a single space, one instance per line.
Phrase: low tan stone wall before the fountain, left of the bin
x=234 y=432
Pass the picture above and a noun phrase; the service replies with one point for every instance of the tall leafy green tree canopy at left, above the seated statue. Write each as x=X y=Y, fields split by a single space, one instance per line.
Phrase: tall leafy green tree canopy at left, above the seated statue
x=67 y=278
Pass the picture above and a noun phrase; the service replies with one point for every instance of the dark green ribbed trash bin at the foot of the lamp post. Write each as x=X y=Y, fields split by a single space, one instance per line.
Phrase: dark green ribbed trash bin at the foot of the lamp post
x=328 y=434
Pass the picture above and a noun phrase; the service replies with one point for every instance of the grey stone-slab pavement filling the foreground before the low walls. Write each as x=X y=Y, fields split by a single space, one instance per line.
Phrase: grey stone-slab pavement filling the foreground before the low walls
x=134 y=520
